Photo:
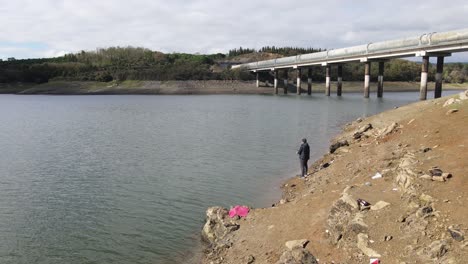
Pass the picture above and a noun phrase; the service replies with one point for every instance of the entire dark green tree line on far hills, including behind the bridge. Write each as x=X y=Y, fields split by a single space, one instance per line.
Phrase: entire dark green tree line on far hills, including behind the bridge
x=131 y=63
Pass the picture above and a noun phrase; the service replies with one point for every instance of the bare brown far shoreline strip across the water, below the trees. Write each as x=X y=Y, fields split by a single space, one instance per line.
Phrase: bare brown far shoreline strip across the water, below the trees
x=193 y=87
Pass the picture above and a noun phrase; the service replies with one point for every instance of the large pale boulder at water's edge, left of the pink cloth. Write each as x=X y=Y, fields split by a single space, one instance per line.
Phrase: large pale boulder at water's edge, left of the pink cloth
x=218 y=224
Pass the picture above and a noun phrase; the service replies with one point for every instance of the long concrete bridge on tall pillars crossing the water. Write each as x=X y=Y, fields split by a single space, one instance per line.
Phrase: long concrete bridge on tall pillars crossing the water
x=438 y=45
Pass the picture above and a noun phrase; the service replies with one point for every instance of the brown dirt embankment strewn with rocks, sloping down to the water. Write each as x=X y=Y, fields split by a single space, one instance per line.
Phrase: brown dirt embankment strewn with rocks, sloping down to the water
x=418 y=155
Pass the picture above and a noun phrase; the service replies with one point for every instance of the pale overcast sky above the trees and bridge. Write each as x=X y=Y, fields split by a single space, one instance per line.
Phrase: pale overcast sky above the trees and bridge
x=46 y=28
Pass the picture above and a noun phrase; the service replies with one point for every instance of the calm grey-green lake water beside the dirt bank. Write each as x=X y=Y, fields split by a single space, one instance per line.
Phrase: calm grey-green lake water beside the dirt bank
x=127 y=179
